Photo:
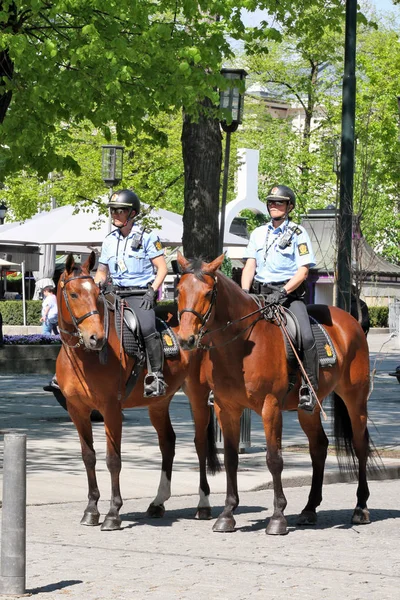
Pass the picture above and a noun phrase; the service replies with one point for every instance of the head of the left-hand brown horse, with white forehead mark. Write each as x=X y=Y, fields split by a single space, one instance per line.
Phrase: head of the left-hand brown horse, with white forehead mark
x=78 y=313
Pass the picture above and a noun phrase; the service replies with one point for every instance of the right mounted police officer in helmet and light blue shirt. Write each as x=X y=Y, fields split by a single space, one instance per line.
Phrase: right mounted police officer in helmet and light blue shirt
x=279 y=254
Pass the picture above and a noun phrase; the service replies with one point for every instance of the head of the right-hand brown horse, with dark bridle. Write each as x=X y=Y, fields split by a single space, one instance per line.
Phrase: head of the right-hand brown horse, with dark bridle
x=197 y=289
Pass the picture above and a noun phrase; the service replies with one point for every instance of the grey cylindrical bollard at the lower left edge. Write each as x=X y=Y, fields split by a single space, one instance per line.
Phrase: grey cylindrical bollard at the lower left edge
x=13 y=523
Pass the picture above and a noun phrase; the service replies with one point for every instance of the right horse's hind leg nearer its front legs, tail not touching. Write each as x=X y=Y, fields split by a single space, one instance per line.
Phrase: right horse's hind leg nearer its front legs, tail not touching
x=318 y=447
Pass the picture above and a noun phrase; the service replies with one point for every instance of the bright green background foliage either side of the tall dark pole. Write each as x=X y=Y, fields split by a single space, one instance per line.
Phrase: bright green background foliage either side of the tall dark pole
x=306 y=73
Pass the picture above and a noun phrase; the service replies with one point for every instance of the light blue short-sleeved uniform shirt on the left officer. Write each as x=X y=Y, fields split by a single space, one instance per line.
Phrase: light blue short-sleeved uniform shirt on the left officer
x=127 y=266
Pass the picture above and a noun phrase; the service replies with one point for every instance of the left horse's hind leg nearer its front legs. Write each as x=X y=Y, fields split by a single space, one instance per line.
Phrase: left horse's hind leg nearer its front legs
x=160 y=419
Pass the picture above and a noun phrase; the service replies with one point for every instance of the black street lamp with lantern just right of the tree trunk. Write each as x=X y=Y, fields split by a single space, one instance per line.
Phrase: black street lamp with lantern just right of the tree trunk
x=231 y=102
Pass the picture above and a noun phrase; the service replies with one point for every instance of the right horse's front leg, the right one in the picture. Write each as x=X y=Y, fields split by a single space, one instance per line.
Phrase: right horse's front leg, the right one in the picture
x=272 y=420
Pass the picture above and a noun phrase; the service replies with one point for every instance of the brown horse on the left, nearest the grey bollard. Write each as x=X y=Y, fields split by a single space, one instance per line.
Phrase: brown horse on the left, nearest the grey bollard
x=87 y=384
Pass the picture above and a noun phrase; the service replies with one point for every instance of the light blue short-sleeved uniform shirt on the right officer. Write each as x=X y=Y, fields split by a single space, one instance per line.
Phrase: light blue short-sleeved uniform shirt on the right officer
x=274 y=264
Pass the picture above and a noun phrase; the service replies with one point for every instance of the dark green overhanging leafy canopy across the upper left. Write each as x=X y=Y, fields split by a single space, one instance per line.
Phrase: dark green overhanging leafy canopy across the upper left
x=66 y=61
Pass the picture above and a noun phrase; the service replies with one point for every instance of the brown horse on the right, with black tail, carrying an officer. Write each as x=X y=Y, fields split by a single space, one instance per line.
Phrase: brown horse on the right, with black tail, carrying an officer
x=246 y=366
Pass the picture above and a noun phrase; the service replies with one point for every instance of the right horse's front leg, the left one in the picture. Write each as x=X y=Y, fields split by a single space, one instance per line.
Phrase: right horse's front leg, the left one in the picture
x=230 y=426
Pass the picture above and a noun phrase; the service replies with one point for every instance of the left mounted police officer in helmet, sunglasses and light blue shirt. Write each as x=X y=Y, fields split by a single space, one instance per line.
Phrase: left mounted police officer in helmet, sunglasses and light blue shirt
x=135 y=260
